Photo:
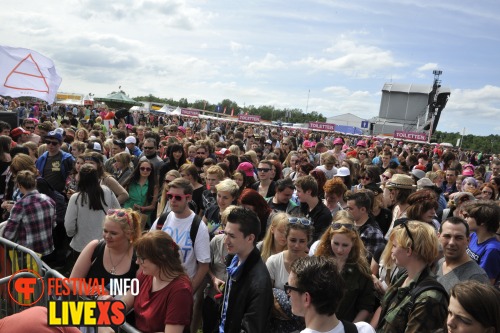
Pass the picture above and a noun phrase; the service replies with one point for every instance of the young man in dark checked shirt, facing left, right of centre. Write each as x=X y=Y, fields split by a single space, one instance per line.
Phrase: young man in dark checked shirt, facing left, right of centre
x=359 y=205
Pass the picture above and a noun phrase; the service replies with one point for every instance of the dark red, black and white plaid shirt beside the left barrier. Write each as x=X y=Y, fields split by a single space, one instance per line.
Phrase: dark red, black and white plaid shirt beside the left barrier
x=31 y=221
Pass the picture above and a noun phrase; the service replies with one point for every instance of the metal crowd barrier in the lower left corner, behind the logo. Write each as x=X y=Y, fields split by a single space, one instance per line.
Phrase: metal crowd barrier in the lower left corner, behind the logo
x=16 y=262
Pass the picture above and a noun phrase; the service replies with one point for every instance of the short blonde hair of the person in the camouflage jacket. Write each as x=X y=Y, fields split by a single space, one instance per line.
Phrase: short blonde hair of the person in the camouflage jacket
x=425 y=243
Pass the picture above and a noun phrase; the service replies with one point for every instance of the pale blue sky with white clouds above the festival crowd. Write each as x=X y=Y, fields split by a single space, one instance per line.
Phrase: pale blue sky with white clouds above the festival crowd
x=328 y=56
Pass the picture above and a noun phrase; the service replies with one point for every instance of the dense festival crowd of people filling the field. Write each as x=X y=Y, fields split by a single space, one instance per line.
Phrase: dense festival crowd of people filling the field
x=233 y=227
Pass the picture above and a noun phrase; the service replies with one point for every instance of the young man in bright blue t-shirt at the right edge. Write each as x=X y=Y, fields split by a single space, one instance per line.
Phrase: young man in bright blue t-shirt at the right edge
x=483 y=220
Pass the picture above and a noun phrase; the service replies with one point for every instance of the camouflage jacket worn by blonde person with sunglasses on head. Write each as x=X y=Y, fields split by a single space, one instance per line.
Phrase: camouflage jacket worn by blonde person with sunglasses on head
x=428 y=314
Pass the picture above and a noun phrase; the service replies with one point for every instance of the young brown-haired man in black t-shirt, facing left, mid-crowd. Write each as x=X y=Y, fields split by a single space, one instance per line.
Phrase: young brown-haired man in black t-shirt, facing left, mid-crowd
x=311 y=206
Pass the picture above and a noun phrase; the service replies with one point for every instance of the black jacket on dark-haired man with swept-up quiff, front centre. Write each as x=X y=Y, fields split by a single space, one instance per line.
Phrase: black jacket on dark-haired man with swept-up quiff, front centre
x=250 y=298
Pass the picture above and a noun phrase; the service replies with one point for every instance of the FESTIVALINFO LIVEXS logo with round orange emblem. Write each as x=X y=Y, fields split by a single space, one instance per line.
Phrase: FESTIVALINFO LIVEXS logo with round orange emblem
x=63 y=312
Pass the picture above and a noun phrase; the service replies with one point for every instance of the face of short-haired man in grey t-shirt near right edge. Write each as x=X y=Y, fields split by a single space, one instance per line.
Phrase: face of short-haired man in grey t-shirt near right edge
x=453 y=240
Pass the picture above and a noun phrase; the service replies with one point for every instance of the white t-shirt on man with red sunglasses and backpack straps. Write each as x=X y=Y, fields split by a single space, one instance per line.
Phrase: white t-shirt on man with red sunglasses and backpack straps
x=179 y=230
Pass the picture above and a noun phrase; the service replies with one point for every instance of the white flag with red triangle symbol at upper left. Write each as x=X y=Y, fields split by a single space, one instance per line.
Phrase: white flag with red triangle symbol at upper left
x=27 y=73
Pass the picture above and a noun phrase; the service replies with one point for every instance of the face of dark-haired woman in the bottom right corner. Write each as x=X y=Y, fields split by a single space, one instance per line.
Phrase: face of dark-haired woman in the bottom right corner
x=460 y=321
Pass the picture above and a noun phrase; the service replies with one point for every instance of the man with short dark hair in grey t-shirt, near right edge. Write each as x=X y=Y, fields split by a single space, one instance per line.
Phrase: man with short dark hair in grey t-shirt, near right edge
x=456 y=265
